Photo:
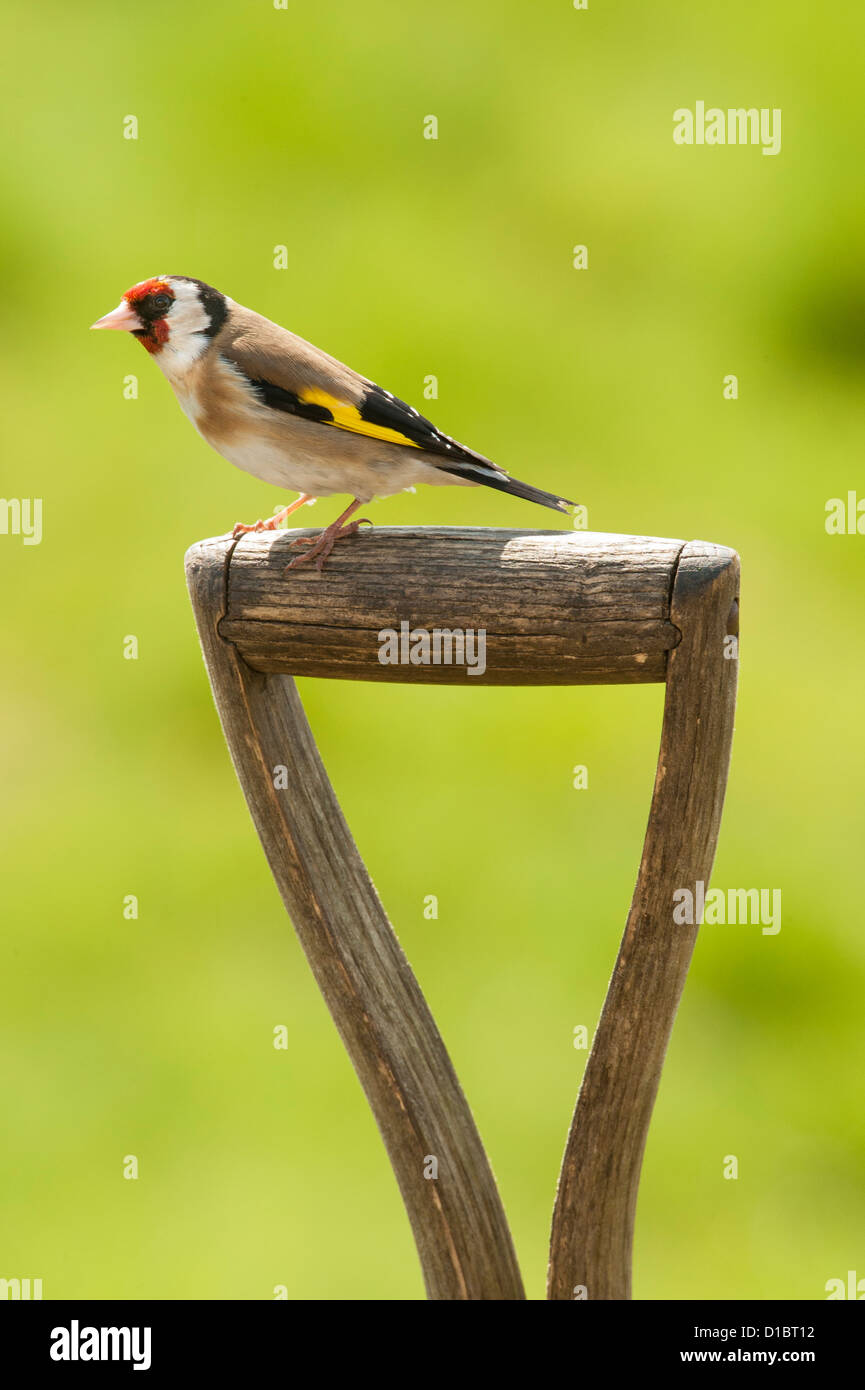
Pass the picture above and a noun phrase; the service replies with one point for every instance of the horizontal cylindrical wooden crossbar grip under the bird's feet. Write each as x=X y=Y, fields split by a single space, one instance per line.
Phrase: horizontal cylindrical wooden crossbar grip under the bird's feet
x=557 y=608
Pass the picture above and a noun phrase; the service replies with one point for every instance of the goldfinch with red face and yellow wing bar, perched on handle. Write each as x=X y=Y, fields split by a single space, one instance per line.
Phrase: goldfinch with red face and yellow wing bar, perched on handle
x=291 y=415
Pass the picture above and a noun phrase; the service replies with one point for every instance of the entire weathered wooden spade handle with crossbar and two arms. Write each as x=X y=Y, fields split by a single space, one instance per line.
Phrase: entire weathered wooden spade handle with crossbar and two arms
x=557 y=608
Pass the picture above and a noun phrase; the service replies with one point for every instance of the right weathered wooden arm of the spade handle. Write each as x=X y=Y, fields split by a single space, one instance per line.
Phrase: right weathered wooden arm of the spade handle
x=595 y=1211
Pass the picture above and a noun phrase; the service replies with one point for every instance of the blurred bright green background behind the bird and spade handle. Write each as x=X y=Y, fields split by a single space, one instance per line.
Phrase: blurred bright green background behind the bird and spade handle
x=412 y=258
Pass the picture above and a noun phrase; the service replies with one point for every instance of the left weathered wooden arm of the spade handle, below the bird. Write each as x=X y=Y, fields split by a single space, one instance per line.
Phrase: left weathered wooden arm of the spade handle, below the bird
x=458 y=1221
